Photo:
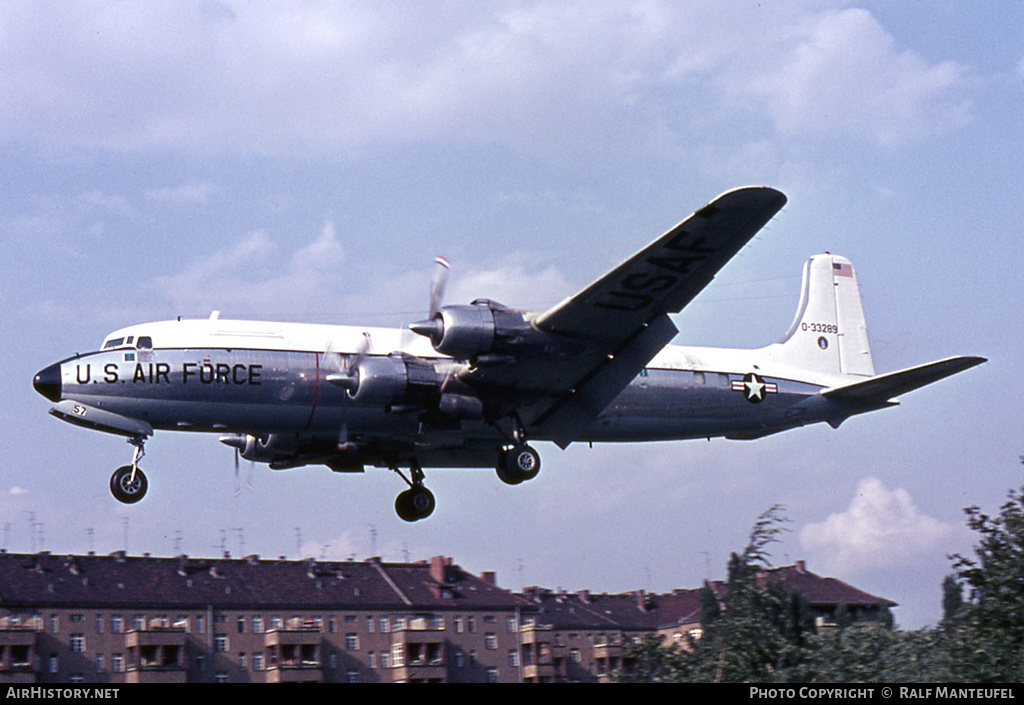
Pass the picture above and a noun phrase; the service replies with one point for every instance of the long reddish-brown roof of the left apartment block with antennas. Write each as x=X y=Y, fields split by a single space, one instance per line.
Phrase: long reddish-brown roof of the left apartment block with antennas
x=119 y=580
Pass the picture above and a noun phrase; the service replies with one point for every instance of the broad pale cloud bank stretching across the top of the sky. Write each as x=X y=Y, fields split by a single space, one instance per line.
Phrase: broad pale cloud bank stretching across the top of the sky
x=328 y=78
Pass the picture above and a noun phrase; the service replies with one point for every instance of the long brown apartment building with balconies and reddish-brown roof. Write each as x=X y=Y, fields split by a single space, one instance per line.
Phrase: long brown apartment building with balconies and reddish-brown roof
x=114 y=619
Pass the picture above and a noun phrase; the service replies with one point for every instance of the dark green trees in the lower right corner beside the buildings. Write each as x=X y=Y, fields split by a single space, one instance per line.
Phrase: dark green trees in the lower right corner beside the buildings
x=756 y=632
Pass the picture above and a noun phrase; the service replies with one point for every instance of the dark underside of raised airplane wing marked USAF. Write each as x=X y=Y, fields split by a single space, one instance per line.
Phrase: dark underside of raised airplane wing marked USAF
x=614 y=327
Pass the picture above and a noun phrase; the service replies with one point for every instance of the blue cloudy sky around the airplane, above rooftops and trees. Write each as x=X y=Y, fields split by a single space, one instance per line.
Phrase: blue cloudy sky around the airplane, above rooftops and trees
x=307 y=161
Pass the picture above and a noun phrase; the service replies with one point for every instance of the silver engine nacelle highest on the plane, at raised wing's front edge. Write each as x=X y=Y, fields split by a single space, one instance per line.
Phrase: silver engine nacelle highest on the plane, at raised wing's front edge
x=485 y=327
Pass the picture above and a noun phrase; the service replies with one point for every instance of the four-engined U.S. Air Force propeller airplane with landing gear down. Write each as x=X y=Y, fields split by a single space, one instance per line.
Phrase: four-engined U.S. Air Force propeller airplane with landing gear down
x=473 y=386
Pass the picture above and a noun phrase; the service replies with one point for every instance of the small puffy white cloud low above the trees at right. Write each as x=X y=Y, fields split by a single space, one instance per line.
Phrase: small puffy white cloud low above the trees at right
x=881 y=529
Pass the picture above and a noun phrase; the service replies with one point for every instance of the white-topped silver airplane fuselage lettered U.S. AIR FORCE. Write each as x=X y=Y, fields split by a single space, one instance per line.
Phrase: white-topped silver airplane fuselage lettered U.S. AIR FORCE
x=267 y=380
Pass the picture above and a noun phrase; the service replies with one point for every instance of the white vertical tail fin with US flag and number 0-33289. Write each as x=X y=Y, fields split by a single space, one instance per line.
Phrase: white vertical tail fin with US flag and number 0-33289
x=830 y=334
